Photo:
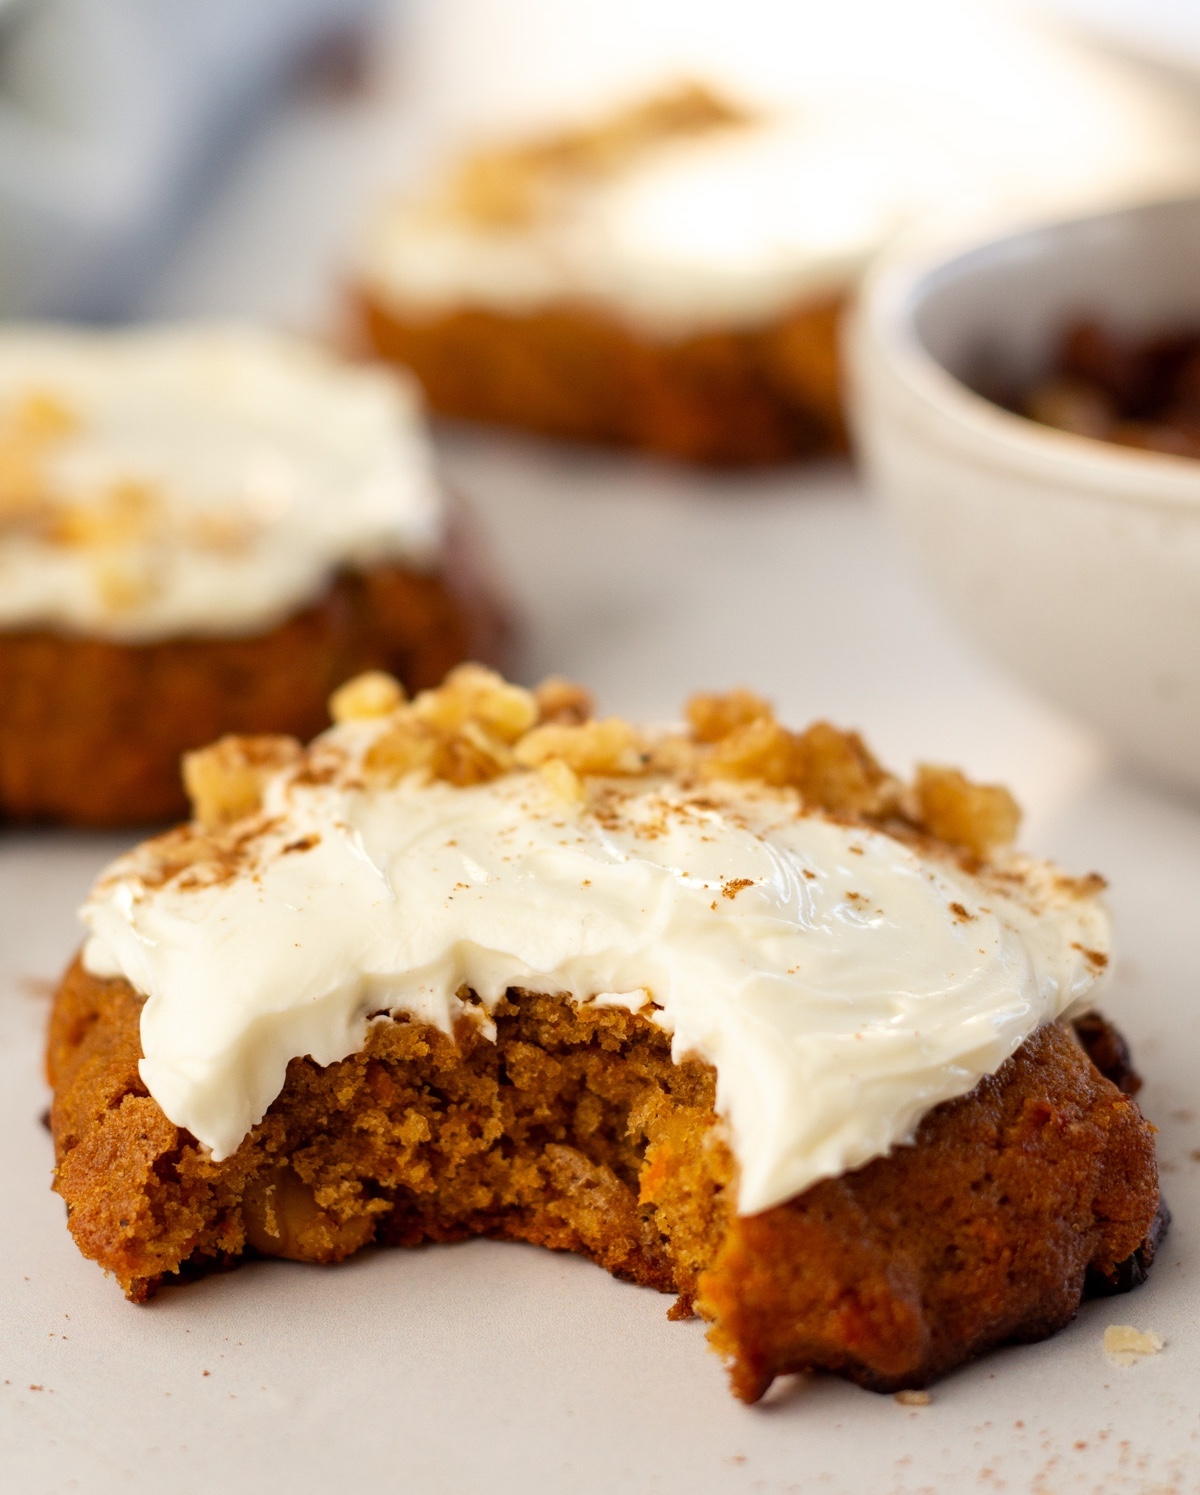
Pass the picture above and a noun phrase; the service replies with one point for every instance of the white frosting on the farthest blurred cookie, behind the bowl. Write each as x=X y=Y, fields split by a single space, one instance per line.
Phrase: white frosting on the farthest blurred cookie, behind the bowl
x=726 y=229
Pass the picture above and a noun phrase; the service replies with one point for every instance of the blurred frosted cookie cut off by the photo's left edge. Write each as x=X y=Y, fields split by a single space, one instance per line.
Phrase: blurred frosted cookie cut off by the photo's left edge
x=202 y=531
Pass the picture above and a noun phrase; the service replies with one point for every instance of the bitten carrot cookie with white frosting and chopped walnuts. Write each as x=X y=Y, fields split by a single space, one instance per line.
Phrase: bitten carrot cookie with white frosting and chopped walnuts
x=730 y=1010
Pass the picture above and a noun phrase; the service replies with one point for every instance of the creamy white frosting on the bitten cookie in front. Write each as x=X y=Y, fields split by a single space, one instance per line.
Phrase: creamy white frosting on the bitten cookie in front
x=841 y=981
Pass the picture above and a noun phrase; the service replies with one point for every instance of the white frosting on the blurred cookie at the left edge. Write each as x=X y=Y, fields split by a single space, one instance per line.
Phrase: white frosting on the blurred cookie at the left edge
x=258 y=466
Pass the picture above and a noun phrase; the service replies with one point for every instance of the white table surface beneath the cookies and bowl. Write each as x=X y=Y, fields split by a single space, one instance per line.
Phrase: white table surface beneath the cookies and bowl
x=504 y=1369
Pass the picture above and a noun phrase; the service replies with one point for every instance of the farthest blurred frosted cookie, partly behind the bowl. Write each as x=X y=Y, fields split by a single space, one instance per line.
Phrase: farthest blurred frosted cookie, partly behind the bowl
x=669 y=277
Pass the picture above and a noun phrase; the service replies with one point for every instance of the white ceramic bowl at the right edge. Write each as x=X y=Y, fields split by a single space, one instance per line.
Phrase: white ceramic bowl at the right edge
x=1074 y=563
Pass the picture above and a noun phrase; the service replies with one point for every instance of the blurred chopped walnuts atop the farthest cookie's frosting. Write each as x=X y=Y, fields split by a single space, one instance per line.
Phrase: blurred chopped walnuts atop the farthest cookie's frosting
x=513 y=186
